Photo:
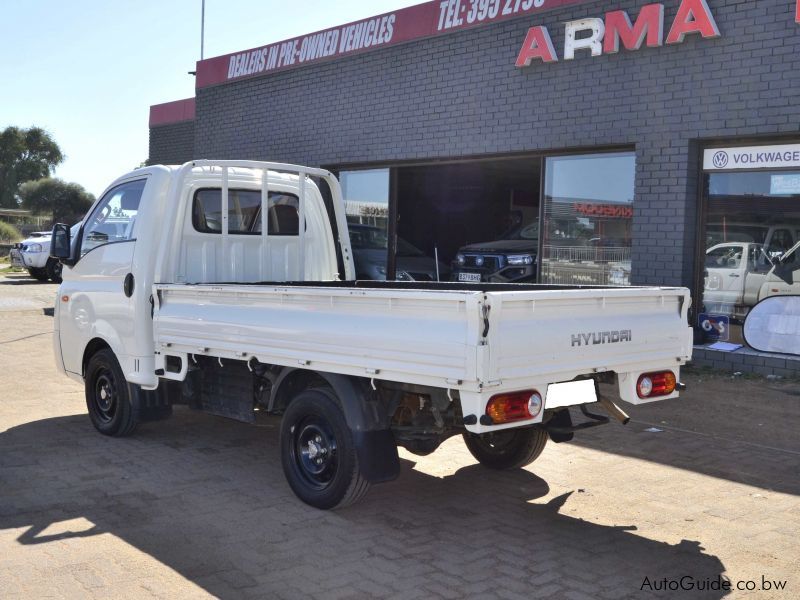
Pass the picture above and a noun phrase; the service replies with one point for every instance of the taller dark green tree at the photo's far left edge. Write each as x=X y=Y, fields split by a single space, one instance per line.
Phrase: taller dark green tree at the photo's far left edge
x=25 y=155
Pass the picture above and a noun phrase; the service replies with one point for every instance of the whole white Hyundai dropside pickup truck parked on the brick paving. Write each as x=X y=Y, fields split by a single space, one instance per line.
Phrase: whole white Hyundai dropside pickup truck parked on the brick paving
x=229 y=286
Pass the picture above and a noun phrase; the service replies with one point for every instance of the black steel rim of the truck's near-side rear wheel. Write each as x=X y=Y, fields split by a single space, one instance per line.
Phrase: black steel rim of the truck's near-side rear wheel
x=315 y=452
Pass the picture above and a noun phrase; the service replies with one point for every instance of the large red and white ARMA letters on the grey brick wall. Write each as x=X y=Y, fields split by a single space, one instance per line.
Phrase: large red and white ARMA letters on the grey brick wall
x=604 y=36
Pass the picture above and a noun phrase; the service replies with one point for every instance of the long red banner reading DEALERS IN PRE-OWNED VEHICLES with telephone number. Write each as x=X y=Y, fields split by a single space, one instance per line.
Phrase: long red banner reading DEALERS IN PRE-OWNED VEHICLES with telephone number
x=416 y=22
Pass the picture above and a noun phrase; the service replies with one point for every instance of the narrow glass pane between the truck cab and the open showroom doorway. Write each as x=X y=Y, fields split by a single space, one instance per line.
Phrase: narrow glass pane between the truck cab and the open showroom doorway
x=366 y=201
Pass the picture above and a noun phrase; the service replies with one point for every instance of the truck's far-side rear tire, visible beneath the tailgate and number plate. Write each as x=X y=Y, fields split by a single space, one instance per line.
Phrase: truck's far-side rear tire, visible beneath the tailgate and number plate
x=508 y=449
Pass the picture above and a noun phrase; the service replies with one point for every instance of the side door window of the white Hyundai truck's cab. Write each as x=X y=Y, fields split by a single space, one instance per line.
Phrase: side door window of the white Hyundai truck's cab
x=114 y=218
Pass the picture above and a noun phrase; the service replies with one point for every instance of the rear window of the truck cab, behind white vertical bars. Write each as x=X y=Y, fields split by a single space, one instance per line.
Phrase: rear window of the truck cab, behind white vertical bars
x=244 y=212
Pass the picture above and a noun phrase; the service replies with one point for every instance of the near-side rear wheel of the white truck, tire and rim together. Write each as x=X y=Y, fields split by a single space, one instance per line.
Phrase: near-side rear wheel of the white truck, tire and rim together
x=318 y=453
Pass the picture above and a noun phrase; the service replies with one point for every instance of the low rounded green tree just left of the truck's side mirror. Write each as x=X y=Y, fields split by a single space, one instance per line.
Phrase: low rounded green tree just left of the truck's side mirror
x=65 y=202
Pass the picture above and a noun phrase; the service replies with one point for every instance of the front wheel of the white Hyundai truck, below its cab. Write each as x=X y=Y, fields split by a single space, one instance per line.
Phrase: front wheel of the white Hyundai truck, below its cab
x=108 y=396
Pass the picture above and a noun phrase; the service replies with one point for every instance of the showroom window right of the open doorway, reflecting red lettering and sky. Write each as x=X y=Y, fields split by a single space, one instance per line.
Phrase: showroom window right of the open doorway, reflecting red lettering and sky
x=587 y=219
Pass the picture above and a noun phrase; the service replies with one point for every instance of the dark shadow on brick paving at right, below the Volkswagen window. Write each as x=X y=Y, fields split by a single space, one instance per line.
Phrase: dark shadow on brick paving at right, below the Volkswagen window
x=739 y=429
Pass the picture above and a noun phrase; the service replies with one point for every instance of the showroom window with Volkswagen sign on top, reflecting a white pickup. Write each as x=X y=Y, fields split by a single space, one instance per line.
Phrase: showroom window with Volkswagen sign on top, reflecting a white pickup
x=752 y=224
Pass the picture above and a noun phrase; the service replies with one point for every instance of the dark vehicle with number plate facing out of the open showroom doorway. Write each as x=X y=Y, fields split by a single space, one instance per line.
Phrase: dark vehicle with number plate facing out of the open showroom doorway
x=512 y=258
